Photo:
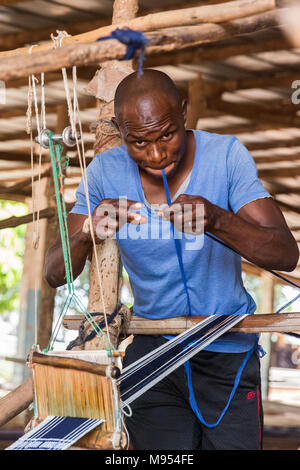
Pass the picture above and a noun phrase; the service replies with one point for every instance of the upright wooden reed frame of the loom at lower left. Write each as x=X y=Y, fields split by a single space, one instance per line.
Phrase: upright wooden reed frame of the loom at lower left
x=82 y=386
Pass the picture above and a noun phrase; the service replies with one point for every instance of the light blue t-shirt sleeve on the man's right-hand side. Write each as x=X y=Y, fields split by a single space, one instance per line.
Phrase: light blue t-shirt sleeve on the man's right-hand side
x=243 y=182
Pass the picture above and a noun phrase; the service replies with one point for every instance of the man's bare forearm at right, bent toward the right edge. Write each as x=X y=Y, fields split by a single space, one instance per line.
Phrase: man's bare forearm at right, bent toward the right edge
x=267 y=247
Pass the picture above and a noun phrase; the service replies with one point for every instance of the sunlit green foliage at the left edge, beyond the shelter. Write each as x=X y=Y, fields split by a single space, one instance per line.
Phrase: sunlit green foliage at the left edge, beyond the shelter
x=12 y=244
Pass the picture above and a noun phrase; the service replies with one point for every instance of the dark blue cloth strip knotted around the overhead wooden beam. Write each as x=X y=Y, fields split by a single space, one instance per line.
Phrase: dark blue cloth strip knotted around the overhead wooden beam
x=135 y=40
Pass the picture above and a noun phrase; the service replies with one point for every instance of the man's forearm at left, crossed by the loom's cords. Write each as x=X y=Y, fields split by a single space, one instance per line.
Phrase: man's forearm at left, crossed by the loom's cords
x=54 y=270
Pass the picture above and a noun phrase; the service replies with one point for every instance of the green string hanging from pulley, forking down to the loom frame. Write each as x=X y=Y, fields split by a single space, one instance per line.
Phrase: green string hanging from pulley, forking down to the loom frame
x=59 y=163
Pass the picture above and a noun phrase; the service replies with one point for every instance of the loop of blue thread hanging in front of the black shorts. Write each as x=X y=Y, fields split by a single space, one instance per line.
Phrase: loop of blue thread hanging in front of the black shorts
x=193 y=402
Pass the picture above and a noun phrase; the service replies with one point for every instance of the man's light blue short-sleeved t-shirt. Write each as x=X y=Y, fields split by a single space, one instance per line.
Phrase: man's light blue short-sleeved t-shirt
x=224 y=173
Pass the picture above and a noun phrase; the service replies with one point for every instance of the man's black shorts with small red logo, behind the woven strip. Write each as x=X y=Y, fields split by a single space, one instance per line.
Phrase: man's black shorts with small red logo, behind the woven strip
x=162 y=417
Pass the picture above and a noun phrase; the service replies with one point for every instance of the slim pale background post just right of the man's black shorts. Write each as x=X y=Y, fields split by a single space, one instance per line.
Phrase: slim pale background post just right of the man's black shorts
x=267 y=302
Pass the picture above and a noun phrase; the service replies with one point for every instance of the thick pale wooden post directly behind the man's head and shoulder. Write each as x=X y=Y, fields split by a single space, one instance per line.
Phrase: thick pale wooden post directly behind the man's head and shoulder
x=110 y=75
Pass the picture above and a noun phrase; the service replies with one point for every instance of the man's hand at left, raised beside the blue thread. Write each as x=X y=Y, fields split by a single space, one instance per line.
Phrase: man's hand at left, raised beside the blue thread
x=111 y=214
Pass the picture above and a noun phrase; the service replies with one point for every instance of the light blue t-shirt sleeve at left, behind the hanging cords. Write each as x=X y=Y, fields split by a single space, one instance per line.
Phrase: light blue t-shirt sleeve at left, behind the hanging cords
x=95 y=189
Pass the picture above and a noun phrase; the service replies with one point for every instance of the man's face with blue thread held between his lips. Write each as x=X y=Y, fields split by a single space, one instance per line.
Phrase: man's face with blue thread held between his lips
x=153 y=130
